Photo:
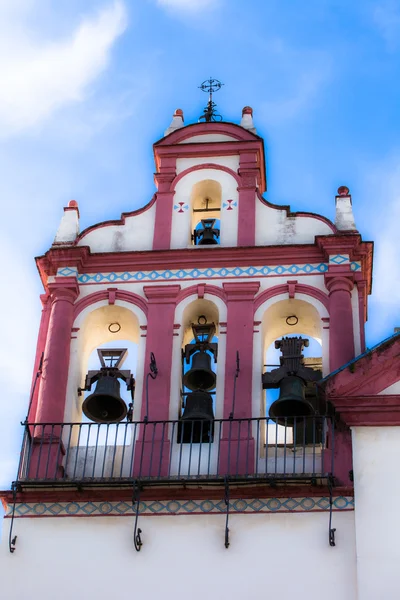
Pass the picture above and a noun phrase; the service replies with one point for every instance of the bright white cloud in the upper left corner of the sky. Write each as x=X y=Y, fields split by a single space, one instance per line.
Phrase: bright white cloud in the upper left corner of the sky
x=38 y=77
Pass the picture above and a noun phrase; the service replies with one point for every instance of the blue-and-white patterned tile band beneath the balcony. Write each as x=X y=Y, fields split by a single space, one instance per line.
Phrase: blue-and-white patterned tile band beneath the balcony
x=180 y=507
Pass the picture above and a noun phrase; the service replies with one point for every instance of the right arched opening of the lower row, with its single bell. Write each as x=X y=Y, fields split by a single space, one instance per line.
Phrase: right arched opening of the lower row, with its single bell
x=291 y=368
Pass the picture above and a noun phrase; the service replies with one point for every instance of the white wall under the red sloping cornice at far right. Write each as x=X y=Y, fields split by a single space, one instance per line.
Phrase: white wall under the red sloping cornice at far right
x=376 y=454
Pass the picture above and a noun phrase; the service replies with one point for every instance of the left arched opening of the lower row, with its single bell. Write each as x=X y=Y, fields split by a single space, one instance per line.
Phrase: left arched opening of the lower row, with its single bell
x=100 y=443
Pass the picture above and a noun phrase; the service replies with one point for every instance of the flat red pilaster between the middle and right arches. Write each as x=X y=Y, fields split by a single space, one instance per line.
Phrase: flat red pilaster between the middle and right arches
x=237 y=442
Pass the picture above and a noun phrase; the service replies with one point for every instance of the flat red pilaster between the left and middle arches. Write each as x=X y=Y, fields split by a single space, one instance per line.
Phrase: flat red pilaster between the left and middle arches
x=153 y=445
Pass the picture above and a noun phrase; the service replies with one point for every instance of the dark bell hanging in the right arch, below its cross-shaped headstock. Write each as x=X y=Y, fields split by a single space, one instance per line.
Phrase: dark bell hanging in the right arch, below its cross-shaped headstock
x=291 y=403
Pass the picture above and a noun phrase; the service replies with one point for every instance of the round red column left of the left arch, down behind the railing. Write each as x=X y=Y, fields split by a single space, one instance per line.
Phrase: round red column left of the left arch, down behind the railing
x=47 y=450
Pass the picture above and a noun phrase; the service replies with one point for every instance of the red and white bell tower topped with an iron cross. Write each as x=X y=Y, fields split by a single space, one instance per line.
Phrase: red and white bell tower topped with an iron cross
x=201 y=357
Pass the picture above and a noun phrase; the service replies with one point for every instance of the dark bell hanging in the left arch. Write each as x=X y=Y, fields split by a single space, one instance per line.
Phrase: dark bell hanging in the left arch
x=105 y=405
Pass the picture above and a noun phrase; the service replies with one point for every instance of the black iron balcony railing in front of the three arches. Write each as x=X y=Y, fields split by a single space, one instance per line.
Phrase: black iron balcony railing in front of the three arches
x=175 y=451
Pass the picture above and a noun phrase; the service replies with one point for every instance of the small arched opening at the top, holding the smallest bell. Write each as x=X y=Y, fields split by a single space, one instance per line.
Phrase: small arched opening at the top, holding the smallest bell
x=205 y=201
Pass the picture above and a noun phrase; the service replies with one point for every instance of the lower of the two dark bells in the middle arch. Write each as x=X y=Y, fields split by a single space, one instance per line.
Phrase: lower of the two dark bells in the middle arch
x=197 y=420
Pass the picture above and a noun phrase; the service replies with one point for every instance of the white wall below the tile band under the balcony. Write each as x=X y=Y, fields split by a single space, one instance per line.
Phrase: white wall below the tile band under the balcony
x=283 y=556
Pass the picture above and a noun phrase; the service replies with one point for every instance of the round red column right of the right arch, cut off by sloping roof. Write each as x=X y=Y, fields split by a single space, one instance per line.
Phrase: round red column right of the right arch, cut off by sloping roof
x=341 y=335
